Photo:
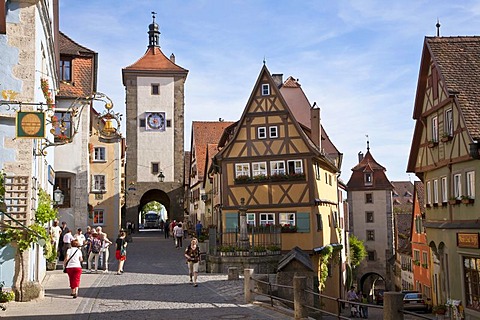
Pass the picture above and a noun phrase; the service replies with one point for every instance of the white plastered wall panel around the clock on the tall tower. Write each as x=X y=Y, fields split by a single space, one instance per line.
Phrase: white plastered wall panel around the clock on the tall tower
x=155 y=146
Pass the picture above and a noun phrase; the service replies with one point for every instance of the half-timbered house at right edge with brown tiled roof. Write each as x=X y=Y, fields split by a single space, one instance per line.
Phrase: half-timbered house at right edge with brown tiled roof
x=444 y=155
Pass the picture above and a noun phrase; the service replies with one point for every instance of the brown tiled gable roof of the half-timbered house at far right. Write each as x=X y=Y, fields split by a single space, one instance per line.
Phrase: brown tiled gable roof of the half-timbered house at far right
x=457 y=60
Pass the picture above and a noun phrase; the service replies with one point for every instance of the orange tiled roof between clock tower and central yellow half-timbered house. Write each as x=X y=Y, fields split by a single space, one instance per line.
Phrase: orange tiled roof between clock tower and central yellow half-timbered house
x=204 y=133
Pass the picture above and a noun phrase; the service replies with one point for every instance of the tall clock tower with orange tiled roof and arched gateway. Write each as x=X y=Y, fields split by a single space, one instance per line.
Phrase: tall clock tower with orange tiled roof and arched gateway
x=154 y=171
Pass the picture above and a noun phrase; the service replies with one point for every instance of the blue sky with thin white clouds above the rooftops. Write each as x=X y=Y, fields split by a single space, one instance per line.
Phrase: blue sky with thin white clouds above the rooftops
x=358 y=60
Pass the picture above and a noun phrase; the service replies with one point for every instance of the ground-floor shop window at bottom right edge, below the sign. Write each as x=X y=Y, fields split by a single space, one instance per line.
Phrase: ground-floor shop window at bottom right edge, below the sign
x=471 y=273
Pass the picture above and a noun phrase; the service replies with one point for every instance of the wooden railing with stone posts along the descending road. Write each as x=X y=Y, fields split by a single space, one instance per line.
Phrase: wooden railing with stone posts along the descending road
x=303 y=297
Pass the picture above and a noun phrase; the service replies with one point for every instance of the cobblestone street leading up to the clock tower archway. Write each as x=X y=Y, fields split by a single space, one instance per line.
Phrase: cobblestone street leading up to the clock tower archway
x=155 y=285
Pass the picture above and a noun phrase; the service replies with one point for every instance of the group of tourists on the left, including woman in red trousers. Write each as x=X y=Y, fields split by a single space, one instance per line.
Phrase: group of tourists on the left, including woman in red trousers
x=93 y=247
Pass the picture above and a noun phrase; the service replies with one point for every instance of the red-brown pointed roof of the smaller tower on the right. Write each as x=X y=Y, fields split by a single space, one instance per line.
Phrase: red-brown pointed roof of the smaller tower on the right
x=368 y=164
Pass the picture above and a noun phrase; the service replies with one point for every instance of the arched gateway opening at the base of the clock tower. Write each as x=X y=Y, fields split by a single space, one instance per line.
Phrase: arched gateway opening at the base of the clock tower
x=157 y=201
